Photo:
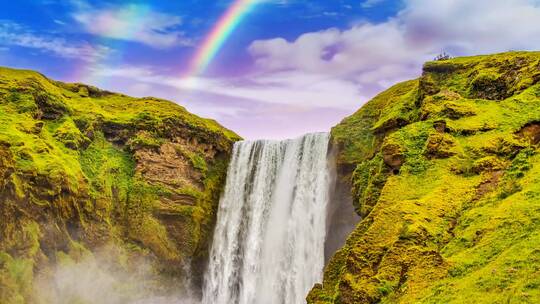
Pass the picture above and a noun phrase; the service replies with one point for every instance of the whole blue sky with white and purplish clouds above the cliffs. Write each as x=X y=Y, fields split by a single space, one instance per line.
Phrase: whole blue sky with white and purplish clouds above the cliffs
x=285 y=68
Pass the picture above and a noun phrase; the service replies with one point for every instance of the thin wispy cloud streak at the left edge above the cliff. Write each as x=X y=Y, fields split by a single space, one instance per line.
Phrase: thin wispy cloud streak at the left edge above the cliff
x=14 y=34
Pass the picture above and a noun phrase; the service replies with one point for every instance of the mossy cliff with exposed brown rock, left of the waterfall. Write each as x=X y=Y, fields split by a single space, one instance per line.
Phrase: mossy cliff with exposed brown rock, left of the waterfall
x=83 y=170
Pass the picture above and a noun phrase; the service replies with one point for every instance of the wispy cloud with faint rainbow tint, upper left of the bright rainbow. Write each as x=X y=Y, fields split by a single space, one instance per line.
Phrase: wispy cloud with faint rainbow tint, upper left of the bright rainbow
x=134 y=22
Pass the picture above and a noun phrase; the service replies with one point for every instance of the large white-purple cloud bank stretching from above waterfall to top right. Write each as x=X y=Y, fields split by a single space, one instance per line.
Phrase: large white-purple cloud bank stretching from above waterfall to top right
x=311 y=82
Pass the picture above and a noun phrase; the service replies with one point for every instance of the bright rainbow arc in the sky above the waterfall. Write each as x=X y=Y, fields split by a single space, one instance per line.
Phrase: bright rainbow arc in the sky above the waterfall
x=218 y=35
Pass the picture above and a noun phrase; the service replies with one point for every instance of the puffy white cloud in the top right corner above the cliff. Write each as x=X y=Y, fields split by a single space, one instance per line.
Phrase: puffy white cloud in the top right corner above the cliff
x=473 y=26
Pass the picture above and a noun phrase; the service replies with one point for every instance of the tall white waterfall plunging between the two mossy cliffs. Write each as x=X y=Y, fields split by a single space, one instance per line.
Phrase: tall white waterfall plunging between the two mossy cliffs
x=268 y=244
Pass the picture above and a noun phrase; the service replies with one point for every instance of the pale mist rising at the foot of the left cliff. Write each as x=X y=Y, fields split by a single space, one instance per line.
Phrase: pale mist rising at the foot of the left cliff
x=105 y=279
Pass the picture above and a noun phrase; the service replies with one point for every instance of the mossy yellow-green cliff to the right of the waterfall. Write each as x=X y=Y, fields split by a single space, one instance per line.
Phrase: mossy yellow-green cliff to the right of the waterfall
x=445 y=173
